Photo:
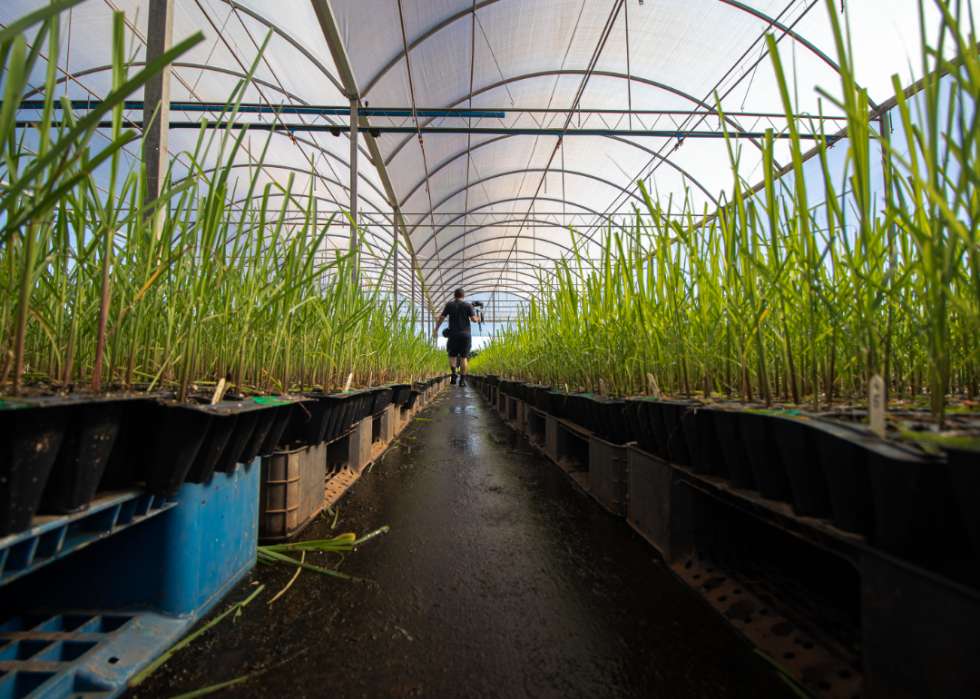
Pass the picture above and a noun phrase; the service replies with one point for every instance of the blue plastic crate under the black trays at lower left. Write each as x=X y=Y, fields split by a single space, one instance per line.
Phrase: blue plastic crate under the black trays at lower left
x=150 y=584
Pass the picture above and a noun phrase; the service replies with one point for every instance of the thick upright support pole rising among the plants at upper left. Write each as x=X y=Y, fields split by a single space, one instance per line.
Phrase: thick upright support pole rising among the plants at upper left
x=156 y=94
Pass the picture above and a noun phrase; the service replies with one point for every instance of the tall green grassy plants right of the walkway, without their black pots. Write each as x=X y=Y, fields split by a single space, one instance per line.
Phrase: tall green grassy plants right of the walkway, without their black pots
x=790 y=295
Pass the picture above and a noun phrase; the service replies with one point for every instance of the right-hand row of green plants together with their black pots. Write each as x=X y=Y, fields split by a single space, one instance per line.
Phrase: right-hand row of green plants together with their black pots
x=749 y=344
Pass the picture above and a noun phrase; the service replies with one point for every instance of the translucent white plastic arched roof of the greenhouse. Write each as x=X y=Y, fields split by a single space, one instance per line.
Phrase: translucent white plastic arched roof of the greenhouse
x=488 y=210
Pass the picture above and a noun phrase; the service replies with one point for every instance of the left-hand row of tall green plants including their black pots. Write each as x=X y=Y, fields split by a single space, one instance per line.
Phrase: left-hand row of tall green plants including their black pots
x=145 y=342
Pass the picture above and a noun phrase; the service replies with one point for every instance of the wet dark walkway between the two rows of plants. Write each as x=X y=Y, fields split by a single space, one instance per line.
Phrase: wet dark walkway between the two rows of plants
x=499 y=578
